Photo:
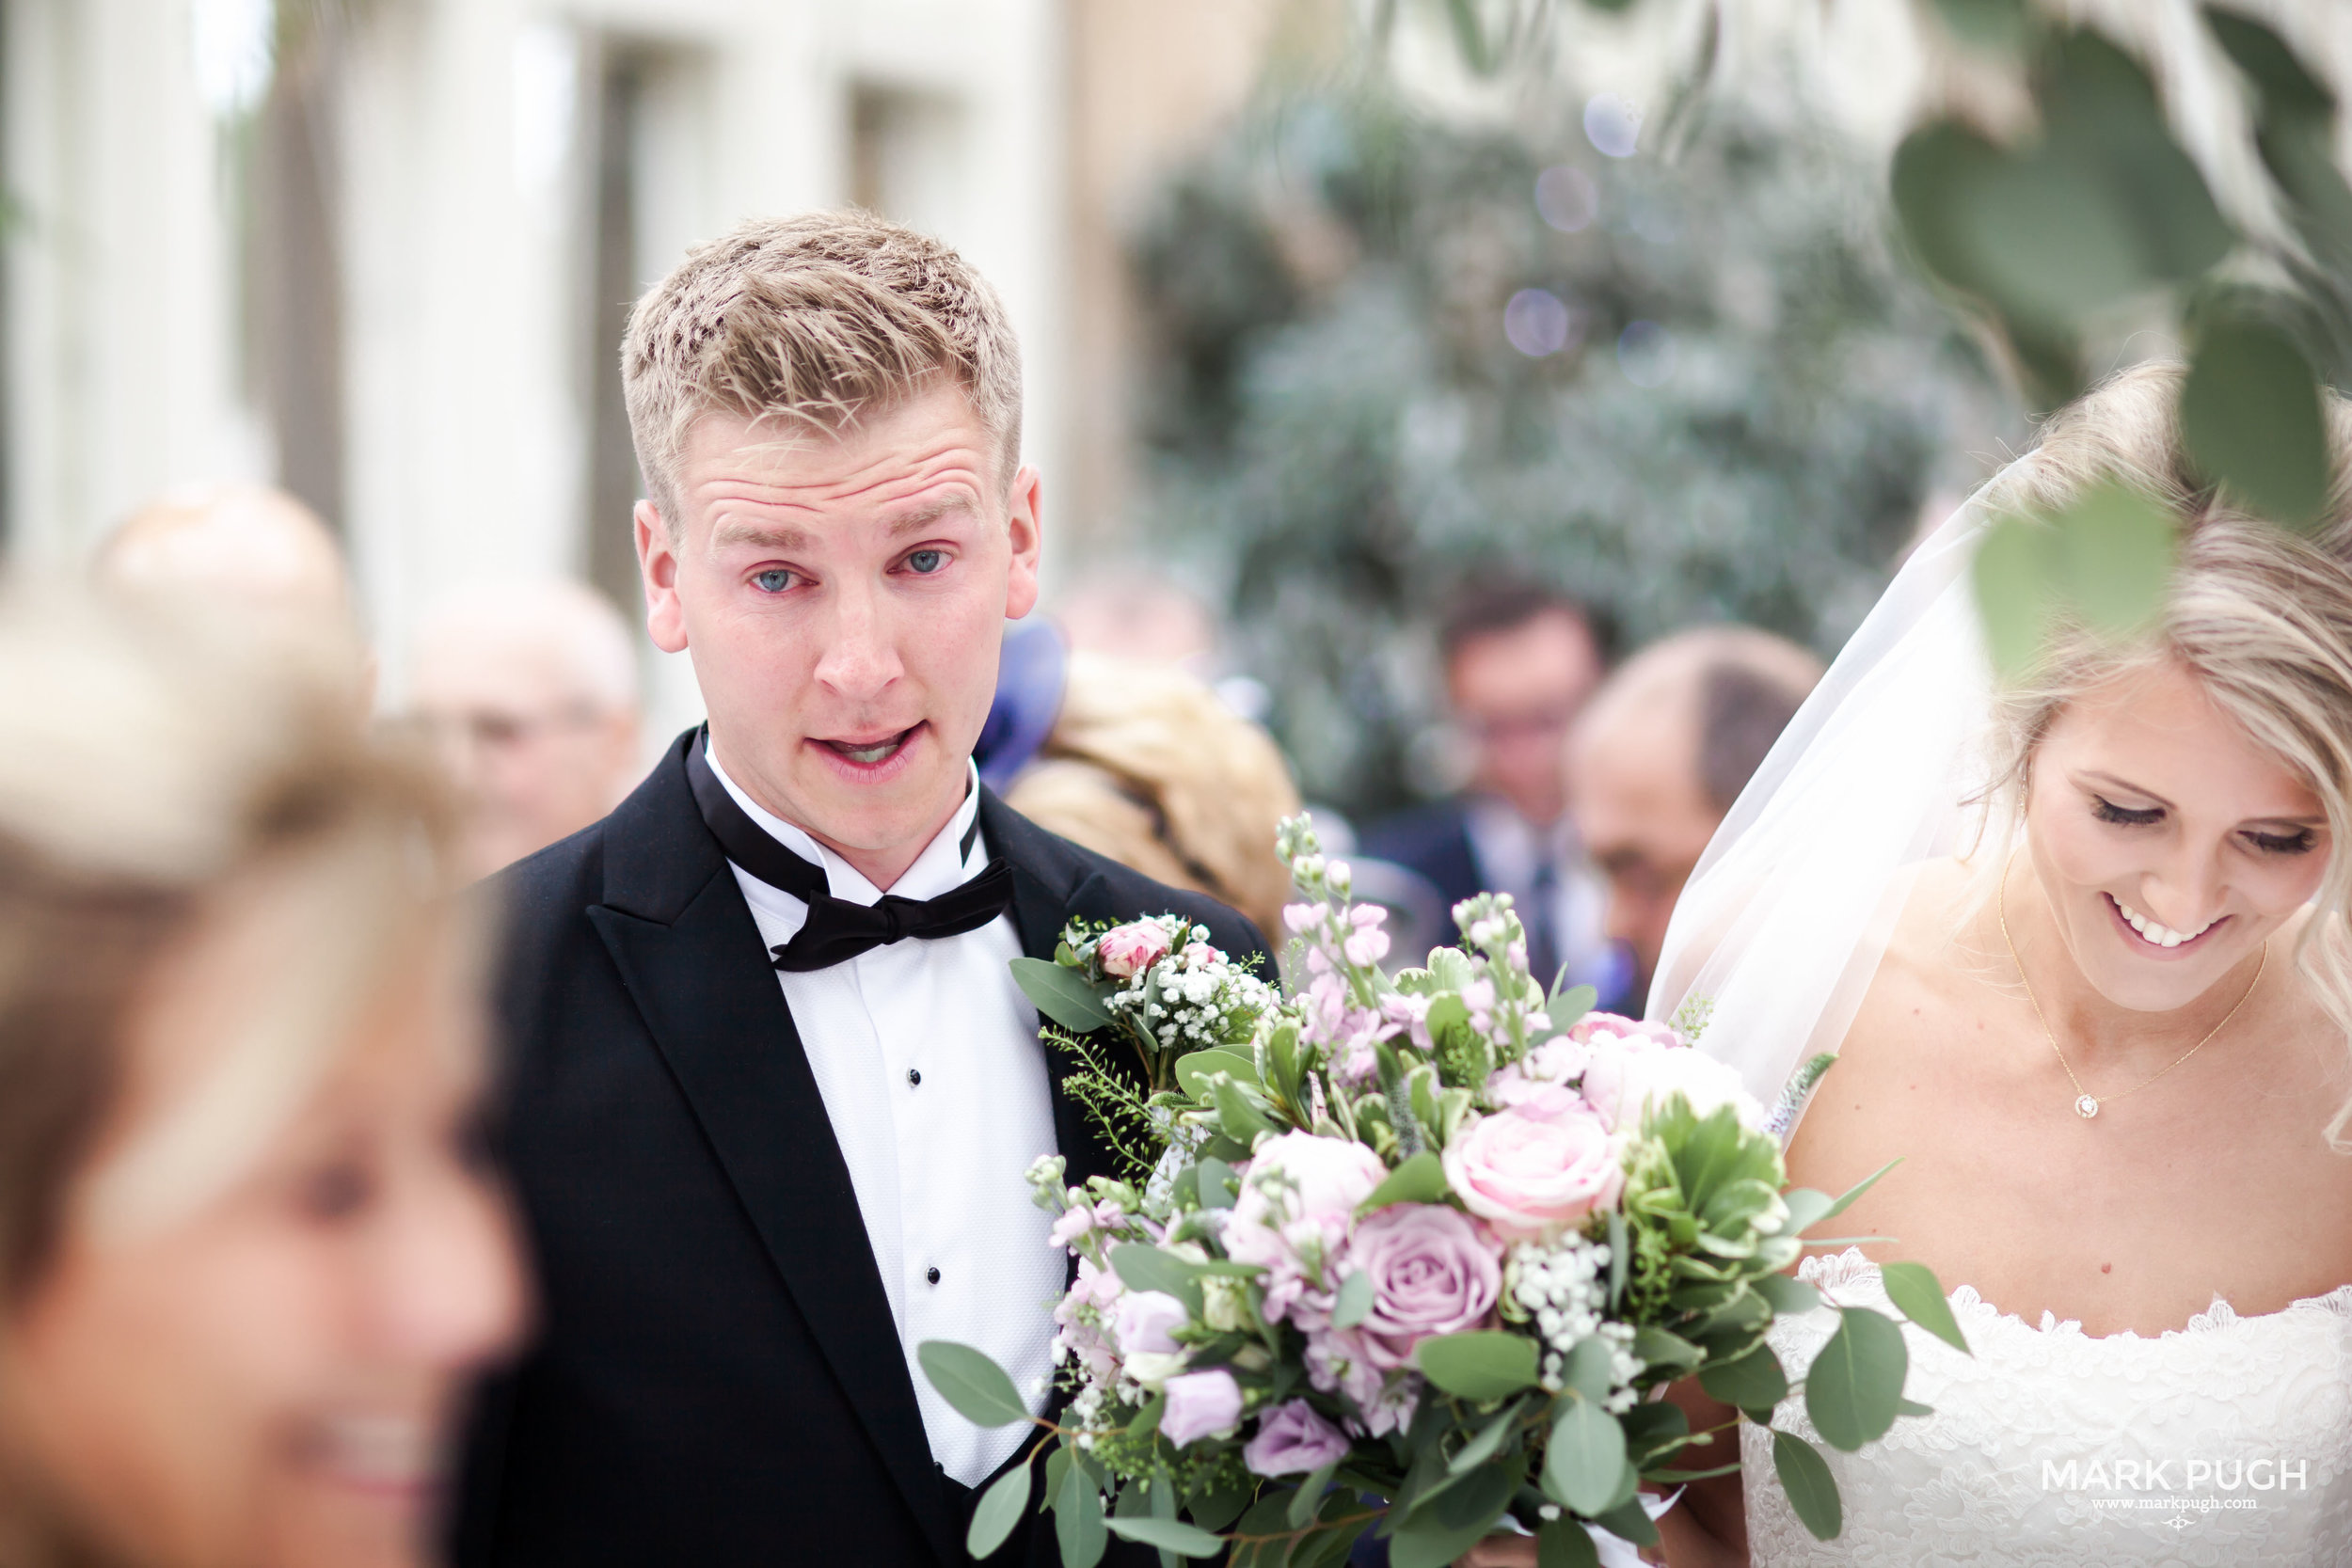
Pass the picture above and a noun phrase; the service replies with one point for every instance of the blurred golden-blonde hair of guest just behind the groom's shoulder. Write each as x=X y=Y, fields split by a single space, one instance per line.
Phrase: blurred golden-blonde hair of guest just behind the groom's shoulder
x=1149 y=768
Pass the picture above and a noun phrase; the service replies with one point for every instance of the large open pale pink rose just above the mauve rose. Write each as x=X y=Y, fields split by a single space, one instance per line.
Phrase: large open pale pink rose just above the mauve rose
x=1539 y=1167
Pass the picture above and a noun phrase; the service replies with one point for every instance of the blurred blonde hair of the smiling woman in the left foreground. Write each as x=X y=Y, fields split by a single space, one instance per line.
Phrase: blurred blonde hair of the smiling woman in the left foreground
x=147 y=770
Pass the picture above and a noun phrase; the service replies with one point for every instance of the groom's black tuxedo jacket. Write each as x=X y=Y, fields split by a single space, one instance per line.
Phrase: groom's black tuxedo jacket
x=716 y=1376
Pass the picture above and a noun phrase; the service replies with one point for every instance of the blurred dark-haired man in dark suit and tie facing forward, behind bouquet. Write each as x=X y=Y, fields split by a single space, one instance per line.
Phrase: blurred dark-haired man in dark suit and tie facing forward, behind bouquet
x=1521 y=662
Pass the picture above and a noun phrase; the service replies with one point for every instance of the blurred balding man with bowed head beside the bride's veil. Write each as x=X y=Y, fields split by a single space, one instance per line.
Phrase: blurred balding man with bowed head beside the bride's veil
x=1662 y=753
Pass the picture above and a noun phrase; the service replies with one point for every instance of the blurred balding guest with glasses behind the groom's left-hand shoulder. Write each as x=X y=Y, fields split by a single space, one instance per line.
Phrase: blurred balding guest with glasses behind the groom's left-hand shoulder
x=530 y=692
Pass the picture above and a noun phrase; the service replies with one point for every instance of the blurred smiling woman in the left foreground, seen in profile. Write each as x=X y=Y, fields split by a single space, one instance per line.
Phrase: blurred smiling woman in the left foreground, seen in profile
x=248 y=1252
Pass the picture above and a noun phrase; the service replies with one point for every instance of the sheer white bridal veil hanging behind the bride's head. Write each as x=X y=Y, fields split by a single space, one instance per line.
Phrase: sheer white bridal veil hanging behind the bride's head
x=1789 y=913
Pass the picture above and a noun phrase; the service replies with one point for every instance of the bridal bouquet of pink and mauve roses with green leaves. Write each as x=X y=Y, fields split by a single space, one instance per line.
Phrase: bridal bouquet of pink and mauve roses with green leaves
x=1408 y=1254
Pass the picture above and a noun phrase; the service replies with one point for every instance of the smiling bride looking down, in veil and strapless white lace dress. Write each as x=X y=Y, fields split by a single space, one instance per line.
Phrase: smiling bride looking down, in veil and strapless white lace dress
x=2080 y=949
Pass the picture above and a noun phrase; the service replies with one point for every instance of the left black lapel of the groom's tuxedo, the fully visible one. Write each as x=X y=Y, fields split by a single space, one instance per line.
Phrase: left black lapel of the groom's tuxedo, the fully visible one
x=690 y=956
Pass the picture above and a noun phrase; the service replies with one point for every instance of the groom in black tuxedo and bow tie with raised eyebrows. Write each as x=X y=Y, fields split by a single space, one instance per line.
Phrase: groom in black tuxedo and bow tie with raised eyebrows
x=773 y=1090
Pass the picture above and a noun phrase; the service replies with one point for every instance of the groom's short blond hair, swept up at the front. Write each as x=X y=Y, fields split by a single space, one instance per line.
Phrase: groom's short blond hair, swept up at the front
x=813 y=323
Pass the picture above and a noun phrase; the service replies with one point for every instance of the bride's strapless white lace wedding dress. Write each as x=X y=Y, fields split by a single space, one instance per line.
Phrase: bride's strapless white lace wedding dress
x=2003 y=1473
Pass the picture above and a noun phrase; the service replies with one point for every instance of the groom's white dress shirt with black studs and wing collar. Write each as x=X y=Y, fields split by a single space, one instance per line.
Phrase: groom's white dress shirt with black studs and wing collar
x=937 y=1090
